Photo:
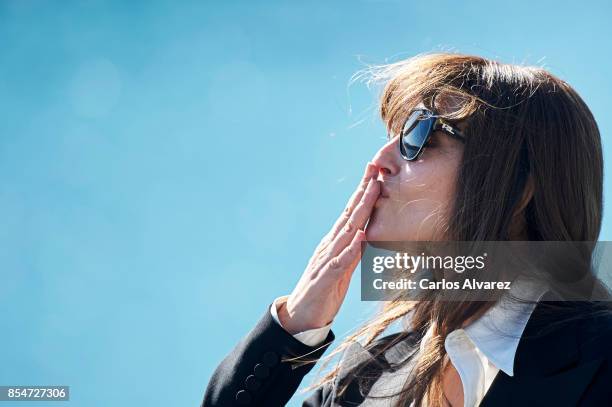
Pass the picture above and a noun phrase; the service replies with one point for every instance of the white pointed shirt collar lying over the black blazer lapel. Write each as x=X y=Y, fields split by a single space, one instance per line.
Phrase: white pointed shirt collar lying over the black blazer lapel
x=498 y=332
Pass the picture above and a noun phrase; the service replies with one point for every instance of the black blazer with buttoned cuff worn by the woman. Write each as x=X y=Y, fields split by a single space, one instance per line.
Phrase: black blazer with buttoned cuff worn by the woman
x=563 y=359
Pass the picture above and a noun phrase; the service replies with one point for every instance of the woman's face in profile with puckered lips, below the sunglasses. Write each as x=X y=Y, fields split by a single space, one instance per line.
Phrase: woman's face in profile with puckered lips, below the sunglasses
x=415 y=195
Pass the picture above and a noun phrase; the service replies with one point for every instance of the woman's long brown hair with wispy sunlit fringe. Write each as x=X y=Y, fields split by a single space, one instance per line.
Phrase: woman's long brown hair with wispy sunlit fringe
x=523 y=125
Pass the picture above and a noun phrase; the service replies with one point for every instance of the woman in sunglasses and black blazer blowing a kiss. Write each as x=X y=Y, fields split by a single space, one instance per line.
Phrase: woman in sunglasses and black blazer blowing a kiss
x=478 y=151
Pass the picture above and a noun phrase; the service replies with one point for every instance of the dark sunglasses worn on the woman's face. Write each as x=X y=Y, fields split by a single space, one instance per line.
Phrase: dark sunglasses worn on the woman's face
x=418 y=128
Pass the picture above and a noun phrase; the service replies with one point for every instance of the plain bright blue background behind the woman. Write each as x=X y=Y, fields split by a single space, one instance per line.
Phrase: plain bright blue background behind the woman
x=167 y=168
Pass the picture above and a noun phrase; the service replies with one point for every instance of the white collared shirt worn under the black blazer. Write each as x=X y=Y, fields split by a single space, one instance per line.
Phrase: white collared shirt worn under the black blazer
x=477 y=351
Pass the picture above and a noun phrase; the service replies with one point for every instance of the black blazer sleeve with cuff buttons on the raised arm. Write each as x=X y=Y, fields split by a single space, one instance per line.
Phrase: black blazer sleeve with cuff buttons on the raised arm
x=257 y=373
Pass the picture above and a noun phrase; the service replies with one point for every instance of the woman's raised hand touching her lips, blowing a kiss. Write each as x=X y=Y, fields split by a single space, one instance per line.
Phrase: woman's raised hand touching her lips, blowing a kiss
x=316 y=299
